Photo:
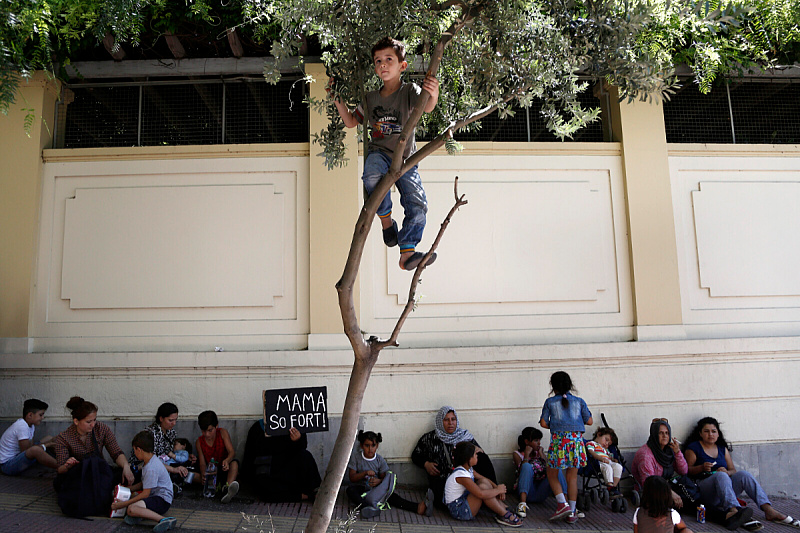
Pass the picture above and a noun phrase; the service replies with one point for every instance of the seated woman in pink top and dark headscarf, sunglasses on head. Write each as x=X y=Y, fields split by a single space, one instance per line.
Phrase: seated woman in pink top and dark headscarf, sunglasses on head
x=660 y=456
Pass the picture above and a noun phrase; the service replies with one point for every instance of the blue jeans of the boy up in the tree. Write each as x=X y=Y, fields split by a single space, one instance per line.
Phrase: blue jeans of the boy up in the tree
x=412 y=198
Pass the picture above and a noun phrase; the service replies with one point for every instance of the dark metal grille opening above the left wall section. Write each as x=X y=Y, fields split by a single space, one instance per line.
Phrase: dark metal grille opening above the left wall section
x=168 y=113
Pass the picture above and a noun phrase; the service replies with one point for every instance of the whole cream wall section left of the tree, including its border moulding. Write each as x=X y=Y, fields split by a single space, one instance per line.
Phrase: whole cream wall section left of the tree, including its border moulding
x=172 y=254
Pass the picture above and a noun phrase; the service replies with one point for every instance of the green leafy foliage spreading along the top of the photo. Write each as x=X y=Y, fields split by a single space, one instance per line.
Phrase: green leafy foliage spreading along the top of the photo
x=521 y=49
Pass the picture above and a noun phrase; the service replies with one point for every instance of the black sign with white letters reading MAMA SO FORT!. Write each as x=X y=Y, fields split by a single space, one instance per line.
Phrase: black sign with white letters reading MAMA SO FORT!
x=305 y=409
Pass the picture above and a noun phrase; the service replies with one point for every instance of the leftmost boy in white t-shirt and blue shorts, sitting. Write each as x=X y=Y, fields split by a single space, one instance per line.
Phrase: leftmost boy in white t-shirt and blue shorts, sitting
x=17 y=449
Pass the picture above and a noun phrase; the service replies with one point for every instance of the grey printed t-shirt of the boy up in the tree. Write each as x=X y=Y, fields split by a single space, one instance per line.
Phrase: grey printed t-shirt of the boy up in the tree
x=386 y=116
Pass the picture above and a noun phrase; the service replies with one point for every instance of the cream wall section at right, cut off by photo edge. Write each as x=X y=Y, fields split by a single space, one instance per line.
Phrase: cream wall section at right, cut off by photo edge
x=736 y=217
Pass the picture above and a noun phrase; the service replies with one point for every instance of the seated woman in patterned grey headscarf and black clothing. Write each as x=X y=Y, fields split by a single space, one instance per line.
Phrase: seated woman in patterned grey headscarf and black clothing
x=434 y=452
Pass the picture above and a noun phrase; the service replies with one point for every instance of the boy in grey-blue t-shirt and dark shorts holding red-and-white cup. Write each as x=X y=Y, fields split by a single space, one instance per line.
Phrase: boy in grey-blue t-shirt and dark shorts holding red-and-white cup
x=155 y=497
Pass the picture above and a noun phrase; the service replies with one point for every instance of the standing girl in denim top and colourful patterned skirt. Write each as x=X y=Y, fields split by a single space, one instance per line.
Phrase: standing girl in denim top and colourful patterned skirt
x=565 y=415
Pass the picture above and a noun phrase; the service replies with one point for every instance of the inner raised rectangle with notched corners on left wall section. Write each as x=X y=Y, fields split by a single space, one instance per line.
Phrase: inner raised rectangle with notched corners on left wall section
x=176 y=247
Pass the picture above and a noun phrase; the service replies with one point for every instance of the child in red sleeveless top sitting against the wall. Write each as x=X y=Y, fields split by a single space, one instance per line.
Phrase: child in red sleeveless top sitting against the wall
x=215 y=443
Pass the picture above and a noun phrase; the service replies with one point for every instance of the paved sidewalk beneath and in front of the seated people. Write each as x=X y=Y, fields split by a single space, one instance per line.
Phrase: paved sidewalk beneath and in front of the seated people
x=28 y=504
